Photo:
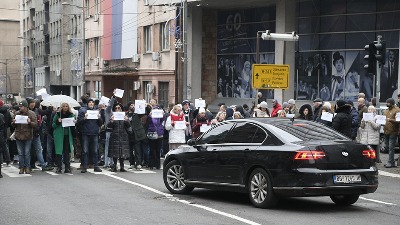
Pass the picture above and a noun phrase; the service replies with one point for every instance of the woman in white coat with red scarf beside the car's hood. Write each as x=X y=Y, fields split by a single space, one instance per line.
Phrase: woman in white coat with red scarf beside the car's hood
x=176 y=136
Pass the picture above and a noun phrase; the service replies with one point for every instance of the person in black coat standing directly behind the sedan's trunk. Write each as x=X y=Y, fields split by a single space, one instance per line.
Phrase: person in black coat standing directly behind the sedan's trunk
x=342 y=121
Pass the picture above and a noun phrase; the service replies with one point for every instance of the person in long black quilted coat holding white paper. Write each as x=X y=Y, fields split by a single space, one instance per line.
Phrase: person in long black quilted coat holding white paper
x=118 y=147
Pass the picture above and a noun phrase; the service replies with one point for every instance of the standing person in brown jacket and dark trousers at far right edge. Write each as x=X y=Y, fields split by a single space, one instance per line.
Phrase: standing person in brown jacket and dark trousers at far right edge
x=391 y=130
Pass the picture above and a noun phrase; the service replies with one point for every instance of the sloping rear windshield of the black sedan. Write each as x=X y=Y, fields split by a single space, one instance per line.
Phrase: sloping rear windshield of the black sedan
x=307 y=131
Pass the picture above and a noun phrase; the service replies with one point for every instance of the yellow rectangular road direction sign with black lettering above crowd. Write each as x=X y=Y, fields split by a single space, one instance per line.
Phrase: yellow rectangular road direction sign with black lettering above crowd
x=270 y=76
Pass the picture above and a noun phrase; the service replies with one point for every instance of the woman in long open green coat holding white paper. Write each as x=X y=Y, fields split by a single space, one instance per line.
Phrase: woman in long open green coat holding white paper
x=63 y=137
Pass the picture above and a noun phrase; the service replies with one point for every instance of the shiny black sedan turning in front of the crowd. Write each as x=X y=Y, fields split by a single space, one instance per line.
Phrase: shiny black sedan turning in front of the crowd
x=269 y=158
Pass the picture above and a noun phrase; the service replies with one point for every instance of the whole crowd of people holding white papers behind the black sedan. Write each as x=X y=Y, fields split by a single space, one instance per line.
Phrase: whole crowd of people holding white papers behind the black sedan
x=31 y=133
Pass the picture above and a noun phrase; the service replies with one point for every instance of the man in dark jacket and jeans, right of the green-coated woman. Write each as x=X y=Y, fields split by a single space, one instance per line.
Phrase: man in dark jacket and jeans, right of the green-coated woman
x=90 y=135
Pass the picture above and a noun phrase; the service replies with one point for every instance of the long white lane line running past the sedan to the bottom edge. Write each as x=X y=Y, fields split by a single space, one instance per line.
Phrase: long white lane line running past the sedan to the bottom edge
x=172 y=198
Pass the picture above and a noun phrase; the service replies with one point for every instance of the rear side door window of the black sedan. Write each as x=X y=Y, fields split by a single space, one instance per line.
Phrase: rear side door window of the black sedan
x=245 y=133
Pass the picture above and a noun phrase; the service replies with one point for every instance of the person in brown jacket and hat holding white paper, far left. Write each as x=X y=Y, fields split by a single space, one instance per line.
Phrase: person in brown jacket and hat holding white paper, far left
x=24 y=135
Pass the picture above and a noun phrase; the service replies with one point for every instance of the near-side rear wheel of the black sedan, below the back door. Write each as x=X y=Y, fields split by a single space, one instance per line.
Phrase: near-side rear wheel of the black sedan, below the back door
x=260 y=189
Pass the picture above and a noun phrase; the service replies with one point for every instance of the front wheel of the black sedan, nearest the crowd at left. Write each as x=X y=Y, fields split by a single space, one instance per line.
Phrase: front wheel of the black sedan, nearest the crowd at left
x=174 y=178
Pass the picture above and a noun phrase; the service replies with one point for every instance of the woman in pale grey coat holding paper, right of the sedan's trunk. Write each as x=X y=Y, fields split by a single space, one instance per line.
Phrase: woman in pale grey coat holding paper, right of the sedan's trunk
x=369 y=132
